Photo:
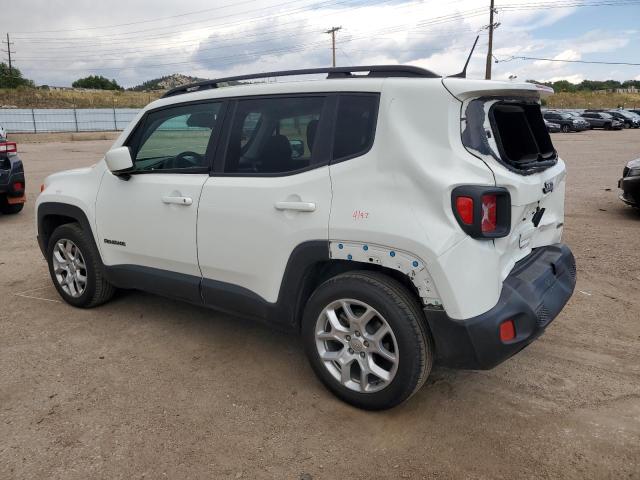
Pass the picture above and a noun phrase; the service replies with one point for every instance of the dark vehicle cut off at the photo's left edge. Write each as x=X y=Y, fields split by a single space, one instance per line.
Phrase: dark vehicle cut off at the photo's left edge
x=12 y=184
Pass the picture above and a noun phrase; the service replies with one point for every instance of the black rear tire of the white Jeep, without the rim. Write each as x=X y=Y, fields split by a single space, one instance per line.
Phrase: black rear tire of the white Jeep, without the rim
x=404 y=316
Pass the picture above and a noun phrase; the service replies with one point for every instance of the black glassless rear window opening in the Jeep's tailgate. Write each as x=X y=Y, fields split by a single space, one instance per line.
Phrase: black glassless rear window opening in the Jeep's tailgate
x=521 y=136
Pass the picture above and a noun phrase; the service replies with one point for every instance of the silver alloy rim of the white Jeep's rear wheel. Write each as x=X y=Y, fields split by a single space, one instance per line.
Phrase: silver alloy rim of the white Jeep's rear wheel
x=357 y=345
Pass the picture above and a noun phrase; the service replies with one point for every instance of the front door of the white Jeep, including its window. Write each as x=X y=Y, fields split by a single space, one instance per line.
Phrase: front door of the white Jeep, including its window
x=147 y=223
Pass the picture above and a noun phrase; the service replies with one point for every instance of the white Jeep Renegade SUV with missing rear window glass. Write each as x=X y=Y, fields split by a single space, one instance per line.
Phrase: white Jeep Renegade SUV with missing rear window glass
x=394 y=218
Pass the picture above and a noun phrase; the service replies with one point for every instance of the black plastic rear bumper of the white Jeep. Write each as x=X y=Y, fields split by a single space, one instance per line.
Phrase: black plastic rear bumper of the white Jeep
x=532 y=295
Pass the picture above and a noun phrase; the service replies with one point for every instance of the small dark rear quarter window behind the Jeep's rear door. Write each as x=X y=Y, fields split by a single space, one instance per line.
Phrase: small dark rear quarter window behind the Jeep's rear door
x=355 y=125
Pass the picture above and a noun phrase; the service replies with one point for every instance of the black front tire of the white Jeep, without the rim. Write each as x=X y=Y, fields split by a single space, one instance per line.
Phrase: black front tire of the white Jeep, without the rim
x=97 y=290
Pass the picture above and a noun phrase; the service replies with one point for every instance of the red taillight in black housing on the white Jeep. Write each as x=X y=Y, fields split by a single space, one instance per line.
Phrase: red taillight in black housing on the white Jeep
x=482 y=212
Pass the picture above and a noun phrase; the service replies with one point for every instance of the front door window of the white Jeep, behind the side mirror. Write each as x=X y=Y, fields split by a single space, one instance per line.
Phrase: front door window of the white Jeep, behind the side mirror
x=176 y=138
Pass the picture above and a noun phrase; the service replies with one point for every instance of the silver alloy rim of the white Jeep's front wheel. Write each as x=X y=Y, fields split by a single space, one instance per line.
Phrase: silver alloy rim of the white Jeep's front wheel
x=69 y=268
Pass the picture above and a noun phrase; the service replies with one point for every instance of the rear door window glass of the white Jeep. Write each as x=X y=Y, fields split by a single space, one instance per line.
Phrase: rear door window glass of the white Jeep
x=273 y=135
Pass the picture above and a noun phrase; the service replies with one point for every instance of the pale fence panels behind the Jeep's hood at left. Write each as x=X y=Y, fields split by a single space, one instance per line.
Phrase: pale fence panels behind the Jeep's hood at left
x=36 y=120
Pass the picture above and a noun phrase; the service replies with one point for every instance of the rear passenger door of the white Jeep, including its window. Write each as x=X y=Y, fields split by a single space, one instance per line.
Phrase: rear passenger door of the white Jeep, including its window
x=272 y=192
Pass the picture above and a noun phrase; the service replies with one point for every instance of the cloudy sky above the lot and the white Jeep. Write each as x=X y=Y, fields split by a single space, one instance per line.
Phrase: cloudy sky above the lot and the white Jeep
x=56 y=42
